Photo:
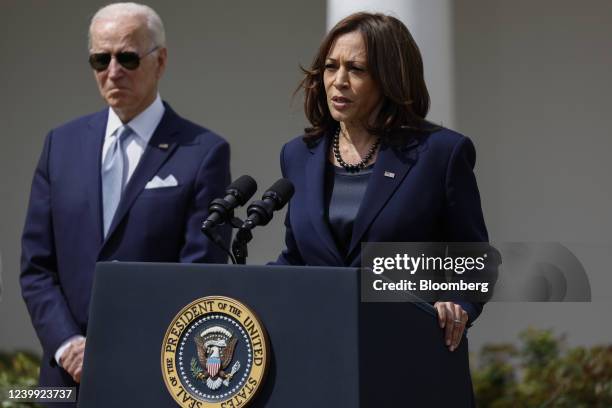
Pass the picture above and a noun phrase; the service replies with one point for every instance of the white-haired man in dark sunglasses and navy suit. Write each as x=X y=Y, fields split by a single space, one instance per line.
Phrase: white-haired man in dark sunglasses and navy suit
x=129 y=183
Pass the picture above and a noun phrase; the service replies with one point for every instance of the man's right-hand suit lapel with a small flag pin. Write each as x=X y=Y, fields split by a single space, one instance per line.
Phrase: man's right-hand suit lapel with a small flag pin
x=150 y=162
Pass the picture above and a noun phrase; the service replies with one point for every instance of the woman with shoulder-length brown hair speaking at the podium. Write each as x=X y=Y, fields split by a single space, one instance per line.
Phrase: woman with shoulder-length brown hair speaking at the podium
x=370 y=168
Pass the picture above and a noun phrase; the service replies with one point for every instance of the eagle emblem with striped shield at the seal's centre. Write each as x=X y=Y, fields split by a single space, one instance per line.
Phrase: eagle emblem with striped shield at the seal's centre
x=215 y=348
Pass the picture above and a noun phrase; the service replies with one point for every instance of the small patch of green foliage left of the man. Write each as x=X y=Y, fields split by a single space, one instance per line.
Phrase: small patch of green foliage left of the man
x=18 y=370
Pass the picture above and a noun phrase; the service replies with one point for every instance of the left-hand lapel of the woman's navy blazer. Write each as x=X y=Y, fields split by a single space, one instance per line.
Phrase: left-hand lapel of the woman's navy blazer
x=315 y=184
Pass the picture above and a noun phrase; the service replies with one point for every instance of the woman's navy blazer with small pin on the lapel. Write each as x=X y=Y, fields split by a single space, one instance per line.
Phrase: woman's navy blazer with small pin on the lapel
x=433 y=197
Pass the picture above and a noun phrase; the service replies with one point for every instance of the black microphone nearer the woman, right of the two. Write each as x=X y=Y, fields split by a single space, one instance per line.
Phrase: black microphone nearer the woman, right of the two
x=260 y=212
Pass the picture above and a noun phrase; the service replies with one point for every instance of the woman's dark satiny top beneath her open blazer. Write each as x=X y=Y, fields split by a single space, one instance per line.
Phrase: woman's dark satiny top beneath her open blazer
x=343 y=193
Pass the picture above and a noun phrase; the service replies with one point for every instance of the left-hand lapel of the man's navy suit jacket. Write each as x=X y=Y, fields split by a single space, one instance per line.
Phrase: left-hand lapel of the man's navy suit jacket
x=91 y=153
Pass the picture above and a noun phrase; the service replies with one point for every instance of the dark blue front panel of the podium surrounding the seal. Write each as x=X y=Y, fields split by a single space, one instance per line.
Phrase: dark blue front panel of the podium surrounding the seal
x=309 y=313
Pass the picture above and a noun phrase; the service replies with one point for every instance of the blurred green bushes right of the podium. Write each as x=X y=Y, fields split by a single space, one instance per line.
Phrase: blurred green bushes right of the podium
x=542 y=372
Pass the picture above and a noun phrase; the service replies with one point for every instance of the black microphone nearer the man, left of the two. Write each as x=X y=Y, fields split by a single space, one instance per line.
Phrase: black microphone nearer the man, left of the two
x=236 y=194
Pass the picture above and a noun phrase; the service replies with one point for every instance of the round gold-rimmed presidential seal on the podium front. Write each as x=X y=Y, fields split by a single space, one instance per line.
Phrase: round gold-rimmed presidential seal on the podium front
x=214 y=354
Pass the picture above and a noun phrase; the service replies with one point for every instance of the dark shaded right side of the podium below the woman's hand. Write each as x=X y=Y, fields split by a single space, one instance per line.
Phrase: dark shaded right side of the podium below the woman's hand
x=404 y=361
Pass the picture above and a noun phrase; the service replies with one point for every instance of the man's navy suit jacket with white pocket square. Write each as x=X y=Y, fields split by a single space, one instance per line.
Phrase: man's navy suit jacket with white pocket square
x=63 y=234
